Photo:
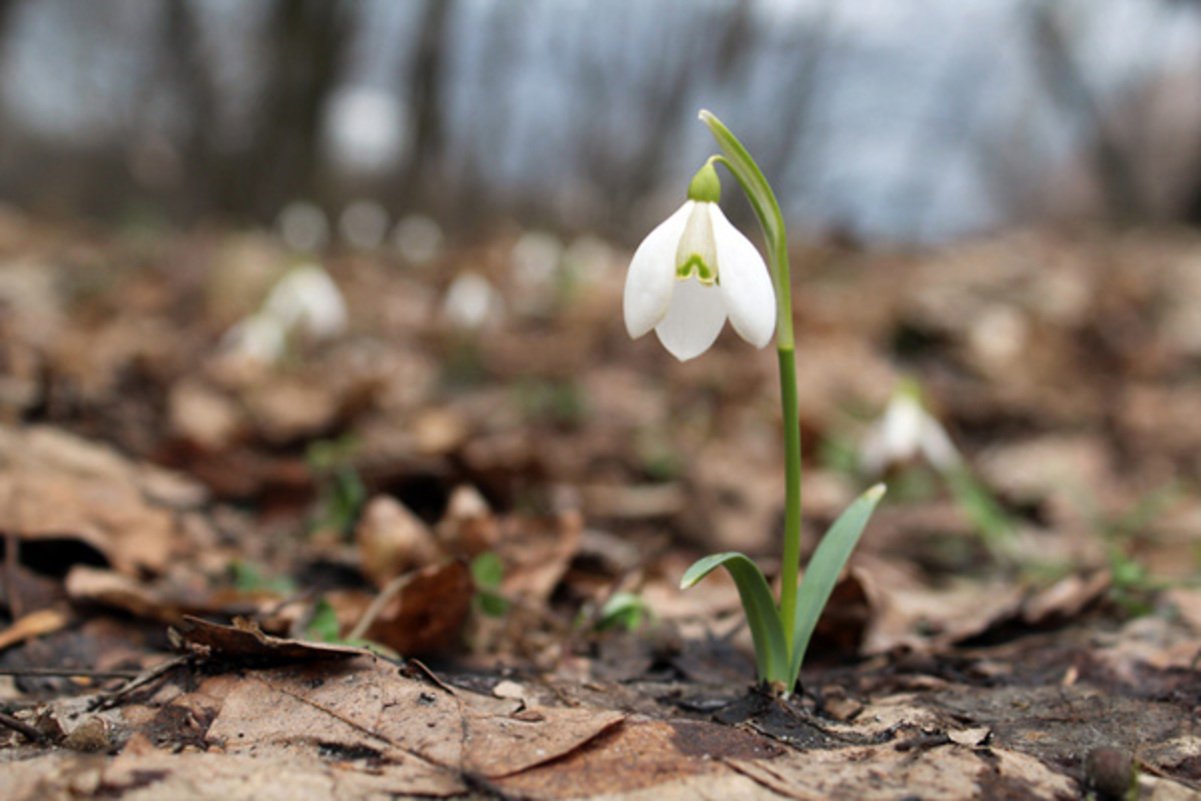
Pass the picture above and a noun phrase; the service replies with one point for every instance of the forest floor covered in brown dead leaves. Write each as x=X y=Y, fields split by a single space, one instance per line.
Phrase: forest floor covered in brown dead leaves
x=438 y=555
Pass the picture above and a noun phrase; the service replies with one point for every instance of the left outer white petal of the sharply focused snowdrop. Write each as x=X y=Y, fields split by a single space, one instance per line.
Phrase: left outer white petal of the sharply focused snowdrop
x=652 y=278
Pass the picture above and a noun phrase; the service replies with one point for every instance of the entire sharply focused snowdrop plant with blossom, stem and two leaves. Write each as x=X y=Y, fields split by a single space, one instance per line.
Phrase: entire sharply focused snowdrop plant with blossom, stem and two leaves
x=686 y=278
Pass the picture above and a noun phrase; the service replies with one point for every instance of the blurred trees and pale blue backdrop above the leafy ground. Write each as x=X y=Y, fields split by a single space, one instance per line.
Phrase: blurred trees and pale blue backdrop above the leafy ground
x=879 y=121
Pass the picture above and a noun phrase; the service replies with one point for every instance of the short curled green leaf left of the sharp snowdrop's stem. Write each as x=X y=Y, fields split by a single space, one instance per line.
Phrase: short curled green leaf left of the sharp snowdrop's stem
x=770 y=650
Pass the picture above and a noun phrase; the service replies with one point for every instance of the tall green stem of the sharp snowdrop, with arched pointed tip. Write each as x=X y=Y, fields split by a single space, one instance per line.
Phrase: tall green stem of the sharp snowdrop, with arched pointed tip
x=767 y=210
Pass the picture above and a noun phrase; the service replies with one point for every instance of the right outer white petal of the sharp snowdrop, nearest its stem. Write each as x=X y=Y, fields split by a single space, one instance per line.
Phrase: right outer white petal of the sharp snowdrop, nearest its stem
x=745 y=282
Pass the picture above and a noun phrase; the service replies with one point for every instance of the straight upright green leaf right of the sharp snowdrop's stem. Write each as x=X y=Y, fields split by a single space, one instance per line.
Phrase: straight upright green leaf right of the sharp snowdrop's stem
x=823 y=571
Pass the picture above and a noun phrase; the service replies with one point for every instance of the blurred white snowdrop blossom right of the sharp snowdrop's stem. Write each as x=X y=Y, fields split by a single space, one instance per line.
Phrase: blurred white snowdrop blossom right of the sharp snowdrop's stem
x=905 y=432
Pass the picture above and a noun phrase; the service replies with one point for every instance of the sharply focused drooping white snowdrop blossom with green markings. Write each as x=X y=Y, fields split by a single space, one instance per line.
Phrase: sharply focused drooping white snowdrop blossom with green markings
x=695 y=271
